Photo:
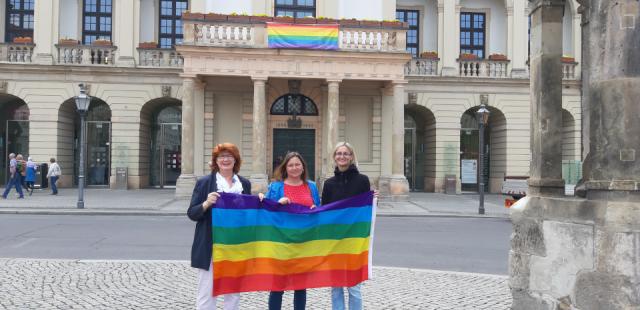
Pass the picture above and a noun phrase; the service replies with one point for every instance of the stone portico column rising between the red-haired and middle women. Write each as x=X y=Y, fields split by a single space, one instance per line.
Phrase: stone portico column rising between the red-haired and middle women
x=259 y=180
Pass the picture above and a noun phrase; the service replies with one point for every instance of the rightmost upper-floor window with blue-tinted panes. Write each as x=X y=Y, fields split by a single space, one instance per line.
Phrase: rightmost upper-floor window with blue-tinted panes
x=472 y=34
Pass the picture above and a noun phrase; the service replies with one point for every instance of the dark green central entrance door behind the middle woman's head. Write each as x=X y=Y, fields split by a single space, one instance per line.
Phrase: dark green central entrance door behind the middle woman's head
x=302 y=141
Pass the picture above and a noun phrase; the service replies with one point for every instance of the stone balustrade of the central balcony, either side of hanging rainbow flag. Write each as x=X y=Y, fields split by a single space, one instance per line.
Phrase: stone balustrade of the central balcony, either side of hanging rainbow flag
x=228 y=34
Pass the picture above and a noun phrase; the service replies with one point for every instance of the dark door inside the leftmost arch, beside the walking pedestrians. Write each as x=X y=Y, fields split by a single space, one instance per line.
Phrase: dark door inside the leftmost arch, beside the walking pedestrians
x=15 y=140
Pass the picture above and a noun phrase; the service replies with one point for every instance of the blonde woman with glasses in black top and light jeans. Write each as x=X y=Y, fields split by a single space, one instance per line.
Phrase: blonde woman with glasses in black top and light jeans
x=346 y=182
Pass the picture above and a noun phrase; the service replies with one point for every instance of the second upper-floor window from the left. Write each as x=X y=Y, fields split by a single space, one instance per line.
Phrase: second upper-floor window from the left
x=96 y=19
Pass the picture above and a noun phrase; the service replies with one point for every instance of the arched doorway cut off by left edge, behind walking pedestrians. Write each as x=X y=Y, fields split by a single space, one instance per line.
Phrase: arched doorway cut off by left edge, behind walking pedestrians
x=14 y=131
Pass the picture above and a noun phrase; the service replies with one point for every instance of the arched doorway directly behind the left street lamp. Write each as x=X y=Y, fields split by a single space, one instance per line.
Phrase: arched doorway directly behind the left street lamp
x=97 y=141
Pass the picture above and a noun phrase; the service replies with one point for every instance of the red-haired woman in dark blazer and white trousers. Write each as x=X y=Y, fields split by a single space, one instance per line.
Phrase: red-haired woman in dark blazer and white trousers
x=225 y=164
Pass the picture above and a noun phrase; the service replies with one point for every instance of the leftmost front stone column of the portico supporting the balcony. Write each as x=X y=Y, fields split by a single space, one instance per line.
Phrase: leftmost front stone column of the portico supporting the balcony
x=187 y=179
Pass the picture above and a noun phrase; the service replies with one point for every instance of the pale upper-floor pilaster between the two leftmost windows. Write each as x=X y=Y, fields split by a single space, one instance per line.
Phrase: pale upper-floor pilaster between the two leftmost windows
x=45 y=31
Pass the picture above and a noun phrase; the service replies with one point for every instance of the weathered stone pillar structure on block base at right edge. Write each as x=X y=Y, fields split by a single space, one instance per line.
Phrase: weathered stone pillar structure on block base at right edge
x=584 y=253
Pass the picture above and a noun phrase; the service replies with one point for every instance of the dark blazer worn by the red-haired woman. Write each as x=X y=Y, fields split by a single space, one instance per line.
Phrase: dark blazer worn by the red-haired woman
x=202 y=240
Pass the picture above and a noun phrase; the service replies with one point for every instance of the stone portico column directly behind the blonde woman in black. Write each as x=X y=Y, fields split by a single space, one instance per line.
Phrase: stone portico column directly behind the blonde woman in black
x=333 y=118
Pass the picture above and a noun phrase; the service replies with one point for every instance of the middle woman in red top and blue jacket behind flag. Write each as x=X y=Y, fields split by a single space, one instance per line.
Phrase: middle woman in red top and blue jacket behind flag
x=292 y=186
